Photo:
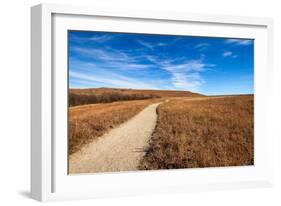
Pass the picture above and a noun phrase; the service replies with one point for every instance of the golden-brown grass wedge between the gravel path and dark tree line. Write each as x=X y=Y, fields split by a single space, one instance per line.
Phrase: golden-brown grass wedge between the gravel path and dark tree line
x=91 y=121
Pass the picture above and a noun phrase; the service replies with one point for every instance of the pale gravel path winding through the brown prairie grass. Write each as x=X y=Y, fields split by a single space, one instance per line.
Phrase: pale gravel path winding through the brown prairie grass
x=120 y=149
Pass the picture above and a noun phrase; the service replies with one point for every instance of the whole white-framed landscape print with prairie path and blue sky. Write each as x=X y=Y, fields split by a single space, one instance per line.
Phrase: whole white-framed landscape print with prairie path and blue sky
x=137 y=102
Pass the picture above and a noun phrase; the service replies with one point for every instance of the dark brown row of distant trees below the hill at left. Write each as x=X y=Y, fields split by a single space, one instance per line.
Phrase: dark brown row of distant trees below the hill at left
x=80 y=99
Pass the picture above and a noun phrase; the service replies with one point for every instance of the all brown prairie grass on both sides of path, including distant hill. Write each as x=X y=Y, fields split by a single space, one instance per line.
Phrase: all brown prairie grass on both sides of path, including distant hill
x=192 y=130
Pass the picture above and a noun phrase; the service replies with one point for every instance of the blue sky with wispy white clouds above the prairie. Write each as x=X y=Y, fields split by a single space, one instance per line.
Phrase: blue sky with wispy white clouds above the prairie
x=142 y=61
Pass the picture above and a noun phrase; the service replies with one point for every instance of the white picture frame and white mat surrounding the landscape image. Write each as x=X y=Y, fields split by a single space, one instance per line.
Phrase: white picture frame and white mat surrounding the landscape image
x=49 y=180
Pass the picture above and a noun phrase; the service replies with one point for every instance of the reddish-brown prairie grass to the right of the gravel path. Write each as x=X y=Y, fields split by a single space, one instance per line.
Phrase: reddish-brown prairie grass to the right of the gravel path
x=207 y=132
